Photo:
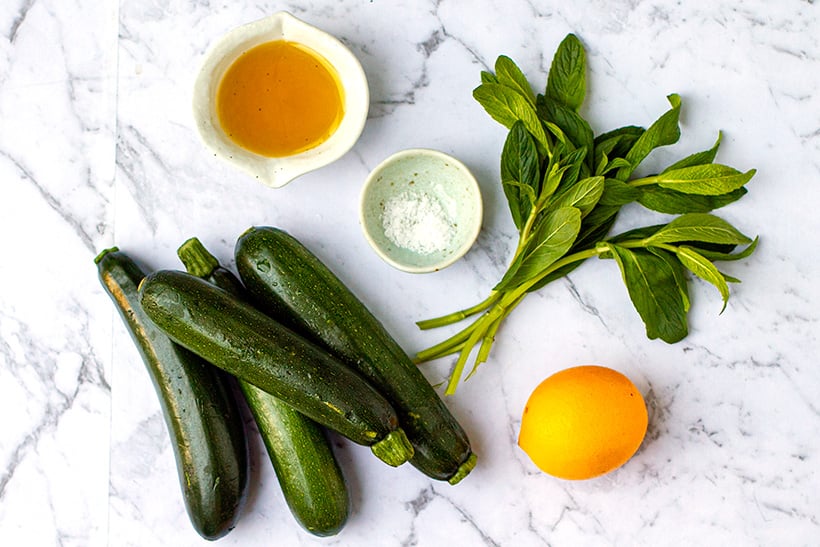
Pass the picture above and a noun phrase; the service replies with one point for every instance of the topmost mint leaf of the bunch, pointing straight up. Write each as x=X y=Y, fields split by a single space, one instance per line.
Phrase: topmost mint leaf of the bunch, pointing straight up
x=566 y=81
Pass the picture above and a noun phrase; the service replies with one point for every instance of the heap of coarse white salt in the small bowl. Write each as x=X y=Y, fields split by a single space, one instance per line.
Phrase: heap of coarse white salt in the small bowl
x=417 y=222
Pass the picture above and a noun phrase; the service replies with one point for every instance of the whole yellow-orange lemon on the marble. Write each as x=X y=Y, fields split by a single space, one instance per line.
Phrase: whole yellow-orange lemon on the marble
x=583 y=422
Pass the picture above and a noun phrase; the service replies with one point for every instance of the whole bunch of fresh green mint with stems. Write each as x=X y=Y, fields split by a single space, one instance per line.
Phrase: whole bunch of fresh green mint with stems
x=565 y=187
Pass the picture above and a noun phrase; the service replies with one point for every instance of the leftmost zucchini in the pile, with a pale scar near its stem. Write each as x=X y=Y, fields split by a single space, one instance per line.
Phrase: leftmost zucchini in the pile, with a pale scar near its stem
x=203 y=418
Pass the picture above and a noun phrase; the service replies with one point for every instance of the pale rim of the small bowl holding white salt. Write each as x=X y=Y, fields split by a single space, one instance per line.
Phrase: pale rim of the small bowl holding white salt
x=471 y=235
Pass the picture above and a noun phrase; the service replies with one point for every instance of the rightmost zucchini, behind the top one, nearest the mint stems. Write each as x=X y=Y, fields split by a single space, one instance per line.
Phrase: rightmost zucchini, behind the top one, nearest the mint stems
x=290 y=283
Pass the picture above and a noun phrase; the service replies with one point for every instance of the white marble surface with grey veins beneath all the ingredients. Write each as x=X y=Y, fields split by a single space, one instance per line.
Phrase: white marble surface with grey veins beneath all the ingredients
x=97 y=148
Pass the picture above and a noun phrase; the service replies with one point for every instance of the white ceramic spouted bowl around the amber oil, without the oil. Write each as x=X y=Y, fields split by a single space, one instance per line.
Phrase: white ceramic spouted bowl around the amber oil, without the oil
x=276 y=172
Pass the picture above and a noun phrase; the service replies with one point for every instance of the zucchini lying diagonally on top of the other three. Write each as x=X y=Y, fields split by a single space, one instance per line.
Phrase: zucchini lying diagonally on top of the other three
x=245 y=342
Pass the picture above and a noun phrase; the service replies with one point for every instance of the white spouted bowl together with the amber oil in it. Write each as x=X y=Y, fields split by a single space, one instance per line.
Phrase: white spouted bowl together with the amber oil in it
x=278 y=98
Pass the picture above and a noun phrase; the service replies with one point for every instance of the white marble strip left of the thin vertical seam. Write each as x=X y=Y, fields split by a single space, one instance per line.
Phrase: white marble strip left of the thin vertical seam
x=57 y=106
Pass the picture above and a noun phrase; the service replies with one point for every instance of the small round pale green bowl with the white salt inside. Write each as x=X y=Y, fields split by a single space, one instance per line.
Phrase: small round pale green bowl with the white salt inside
x=421 y=210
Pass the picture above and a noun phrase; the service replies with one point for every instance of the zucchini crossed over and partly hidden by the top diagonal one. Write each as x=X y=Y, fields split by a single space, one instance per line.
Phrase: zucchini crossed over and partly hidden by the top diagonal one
x=312 y=481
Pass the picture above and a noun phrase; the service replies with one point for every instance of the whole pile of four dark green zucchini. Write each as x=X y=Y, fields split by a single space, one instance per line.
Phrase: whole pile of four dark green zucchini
x=291 y=342
